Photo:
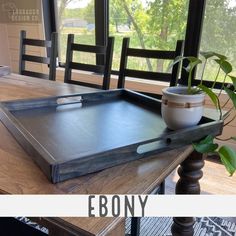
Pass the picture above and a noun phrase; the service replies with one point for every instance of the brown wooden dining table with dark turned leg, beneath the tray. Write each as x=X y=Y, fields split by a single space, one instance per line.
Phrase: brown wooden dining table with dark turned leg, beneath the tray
x=19 y=174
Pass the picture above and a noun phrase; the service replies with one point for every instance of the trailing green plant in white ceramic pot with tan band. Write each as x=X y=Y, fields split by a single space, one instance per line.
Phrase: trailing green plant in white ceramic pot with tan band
x=183 y=106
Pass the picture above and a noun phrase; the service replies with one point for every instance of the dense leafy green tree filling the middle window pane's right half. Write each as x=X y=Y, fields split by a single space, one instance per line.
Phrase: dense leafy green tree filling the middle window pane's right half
x=166 y=24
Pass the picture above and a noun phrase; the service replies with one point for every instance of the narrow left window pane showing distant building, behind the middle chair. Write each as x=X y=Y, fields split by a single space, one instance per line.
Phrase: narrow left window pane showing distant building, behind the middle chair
x=76 y=17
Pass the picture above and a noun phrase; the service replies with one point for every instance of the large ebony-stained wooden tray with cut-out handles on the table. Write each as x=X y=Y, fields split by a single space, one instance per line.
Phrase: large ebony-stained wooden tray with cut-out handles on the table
x=69 y=136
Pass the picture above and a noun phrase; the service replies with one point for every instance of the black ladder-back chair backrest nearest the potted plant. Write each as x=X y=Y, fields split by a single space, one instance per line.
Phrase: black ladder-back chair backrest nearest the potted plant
x=127 y=52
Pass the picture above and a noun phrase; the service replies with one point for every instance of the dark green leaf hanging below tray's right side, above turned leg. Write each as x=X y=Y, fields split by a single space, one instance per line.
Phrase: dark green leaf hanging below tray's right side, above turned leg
x=206 y=145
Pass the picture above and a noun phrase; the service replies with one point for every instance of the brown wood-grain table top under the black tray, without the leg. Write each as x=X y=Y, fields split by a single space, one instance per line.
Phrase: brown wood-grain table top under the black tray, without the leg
x=20 y=175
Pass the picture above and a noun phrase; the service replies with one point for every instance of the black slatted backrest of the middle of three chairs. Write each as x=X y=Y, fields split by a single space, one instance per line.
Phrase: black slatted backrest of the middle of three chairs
x=104 y=69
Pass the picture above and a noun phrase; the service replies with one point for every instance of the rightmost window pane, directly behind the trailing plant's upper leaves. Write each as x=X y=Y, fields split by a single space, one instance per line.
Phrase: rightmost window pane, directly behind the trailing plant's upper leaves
x=219 y=34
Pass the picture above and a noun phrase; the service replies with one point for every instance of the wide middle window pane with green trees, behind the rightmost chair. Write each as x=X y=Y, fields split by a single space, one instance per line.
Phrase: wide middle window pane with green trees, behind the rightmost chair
x=151 y=24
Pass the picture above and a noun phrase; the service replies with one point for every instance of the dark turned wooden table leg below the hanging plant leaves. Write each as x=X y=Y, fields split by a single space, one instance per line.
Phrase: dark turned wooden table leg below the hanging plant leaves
x=190 y=172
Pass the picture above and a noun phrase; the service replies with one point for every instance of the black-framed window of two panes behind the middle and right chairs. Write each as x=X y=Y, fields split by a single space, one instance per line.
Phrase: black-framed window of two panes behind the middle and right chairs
x=154 y=24
